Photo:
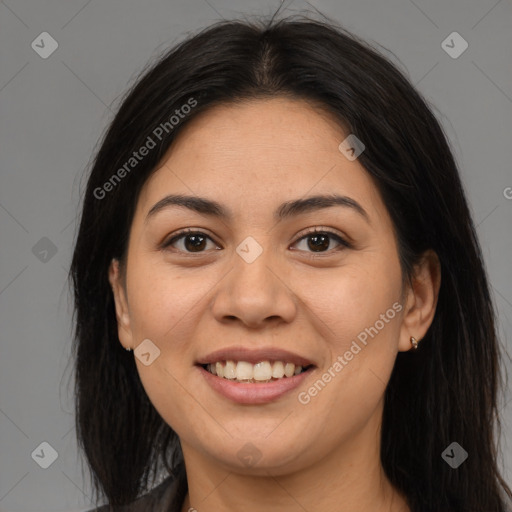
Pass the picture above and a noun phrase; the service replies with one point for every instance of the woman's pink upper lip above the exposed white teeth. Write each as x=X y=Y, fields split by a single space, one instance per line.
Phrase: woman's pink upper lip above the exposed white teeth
x=254 y=356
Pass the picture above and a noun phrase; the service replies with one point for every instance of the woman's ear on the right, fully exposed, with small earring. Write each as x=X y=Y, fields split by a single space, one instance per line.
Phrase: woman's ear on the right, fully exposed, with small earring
x=421 y=300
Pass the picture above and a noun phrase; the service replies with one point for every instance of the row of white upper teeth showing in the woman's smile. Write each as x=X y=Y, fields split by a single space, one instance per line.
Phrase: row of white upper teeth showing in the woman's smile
x=244 y=371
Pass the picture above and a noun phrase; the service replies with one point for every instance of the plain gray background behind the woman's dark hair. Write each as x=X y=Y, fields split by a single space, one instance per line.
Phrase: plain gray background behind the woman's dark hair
x=53 y=110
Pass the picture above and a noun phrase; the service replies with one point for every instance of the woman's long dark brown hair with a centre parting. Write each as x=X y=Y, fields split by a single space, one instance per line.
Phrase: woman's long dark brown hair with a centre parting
x=444 y=392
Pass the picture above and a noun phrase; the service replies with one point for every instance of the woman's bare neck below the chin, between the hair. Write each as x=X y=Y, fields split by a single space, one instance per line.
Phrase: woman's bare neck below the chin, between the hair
x=349 y=478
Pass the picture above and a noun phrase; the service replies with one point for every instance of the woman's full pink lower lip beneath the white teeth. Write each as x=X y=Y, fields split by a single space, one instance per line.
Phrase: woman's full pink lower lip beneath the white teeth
x=254 y=393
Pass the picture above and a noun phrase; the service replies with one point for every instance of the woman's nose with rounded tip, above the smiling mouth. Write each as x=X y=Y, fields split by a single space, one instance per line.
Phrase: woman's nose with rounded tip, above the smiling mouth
x=256 y=293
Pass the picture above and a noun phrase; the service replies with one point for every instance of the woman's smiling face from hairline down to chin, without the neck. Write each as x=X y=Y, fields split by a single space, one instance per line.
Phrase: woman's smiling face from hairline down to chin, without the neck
x=255 y=286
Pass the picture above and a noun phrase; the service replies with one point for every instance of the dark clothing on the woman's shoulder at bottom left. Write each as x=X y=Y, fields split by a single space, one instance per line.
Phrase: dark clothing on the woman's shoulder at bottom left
x=162 y=497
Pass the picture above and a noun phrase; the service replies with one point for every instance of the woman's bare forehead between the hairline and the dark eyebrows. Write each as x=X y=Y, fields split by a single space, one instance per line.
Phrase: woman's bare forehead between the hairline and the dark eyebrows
x=255 y=154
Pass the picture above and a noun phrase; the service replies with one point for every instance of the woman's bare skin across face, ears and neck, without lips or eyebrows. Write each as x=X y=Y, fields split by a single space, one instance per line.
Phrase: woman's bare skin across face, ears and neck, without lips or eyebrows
x=251 y=157
